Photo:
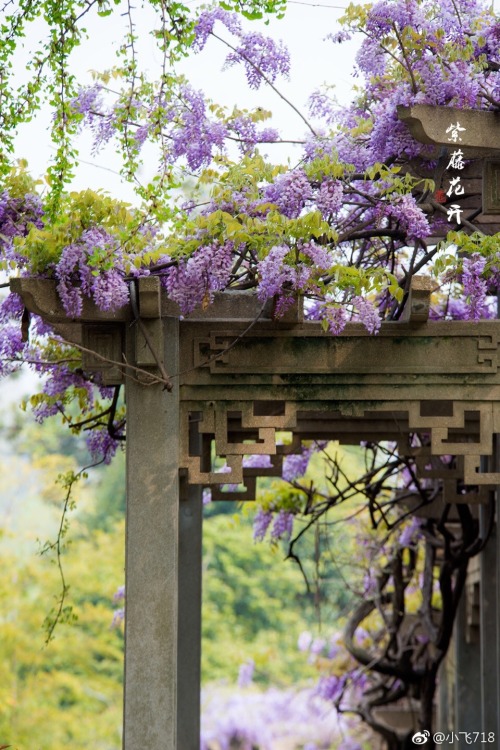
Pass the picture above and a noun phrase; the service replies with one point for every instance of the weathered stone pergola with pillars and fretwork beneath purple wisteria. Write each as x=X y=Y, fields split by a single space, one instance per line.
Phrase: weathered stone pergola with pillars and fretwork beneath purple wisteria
x=222 y=382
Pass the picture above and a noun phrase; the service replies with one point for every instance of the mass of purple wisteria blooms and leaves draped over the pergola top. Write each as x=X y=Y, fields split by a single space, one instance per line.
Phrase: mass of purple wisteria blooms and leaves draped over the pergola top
x=342 y=226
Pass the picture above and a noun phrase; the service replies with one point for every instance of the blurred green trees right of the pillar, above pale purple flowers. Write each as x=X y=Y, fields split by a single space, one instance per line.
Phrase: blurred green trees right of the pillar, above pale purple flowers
x=248 y=613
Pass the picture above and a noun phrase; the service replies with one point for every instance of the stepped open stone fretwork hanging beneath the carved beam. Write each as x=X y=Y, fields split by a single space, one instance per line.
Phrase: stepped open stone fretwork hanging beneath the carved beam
x=236 y=429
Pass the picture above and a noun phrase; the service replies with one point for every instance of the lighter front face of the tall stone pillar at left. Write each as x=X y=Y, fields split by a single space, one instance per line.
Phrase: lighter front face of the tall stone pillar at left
x=152 y=572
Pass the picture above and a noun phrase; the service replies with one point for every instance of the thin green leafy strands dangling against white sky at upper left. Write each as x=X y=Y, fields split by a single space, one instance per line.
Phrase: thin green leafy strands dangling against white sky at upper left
x=55 y=30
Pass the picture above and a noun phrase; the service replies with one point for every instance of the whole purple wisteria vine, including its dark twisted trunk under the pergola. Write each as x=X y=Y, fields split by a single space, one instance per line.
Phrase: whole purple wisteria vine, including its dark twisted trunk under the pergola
x=345 y=225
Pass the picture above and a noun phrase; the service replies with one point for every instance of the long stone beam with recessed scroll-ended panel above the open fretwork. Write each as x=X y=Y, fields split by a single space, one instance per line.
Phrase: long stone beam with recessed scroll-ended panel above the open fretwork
x=276 y=352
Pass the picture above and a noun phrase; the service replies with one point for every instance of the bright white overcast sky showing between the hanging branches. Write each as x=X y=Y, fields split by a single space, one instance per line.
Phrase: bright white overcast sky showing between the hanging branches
x=314 y=62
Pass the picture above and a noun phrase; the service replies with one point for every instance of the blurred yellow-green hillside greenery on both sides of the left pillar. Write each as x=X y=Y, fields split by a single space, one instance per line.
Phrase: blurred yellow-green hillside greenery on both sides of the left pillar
x=69 y=693
